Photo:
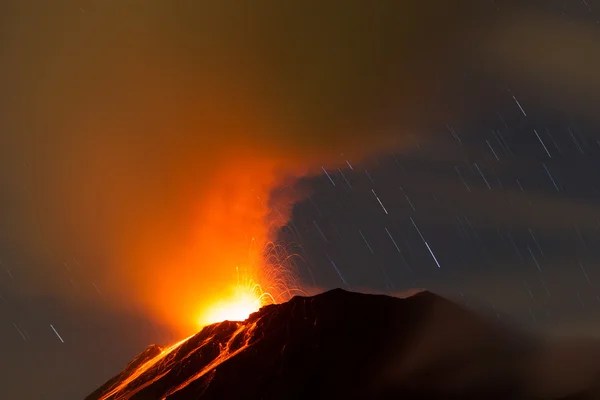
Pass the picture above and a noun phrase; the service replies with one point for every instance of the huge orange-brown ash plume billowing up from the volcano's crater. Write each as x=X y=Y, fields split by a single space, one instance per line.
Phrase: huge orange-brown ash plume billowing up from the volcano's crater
x=145 y=138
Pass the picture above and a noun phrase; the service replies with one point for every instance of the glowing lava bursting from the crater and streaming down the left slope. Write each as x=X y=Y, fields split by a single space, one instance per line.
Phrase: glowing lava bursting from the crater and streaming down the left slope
x=225 y=331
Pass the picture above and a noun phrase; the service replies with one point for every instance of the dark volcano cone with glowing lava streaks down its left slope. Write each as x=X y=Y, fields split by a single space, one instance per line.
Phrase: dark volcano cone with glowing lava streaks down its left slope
x=342 y=344
